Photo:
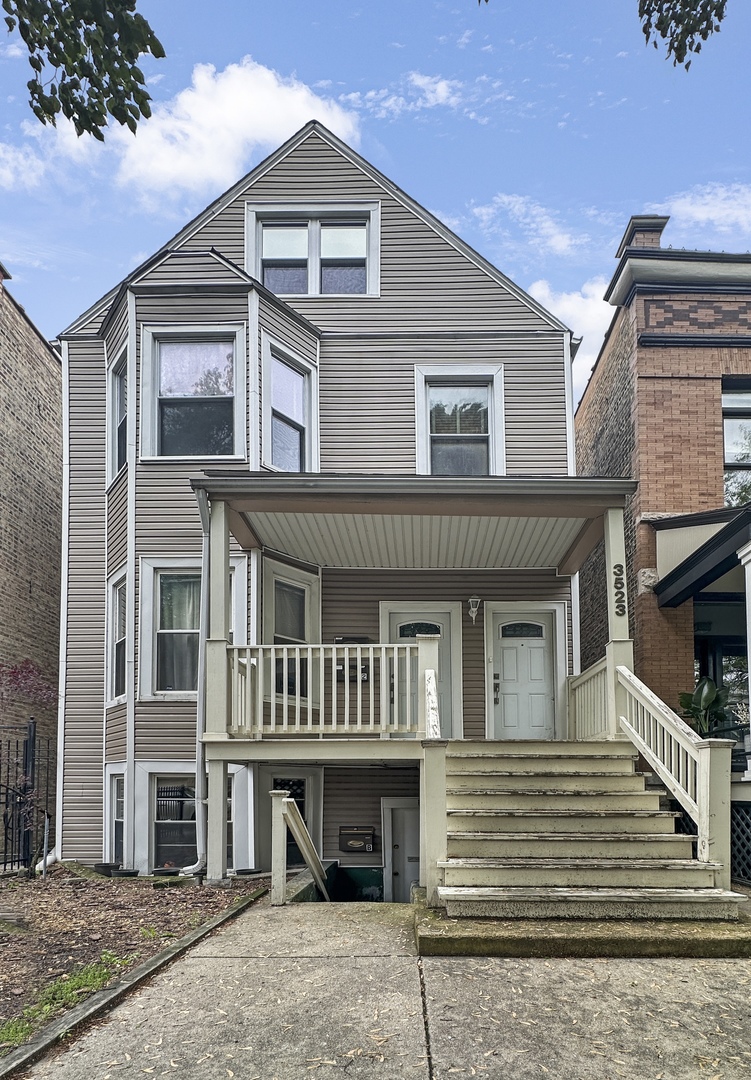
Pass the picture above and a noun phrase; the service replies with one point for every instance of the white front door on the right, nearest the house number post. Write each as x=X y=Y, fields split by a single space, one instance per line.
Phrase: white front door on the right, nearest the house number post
x=522 y=672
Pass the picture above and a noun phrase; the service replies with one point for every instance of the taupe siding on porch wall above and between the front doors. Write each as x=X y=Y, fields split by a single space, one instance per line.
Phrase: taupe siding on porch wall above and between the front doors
x=350 y=601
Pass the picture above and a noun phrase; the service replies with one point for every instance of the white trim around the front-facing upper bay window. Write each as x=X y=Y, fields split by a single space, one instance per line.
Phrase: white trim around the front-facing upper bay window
x=151 y=336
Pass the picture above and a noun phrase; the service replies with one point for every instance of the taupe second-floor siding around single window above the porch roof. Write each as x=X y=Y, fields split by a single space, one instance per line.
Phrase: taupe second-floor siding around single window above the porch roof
x=368 y=388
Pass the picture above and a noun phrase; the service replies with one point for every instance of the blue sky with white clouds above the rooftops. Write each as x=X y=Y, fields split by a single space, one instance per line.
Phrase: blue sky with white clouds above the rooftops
x=535 y=130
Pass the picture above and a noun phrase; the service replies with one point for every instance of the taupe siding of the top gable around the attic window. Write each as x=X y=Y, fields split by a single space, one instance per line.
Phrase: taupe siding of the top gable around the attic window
x=426 y=283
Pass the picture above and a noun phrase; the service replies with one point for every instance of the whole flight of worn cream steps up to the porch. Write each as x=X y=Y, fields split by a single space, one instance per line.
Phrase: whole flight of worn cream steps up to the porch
x=567 y=830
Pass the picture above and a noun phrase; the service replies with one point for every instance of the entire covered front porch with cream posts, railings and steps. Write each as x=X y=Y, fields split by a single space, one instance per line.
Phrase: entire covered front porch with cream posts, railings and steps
x=372 y=698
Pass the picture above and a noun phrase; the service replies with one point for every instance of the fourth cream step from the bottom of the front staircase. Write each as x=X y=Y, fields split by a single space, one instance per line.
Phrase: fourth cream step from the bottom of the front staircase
x=637 y=822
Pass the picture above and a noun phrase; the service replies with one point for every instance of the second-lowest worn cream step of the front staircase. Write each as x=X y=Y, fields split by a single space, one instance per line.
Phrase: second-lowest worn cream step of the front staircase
x=580 y=873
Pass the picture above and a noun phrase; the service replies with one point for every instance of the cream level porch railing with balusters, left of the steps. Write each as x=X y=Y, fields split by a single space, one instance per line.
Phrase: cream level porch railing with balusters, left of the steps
x=325 y=691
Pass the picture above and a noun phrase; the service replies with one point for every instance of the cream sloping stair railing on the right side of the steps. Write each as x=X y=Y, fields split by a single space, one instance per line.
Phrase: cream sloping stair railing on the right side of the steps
x=696 y=772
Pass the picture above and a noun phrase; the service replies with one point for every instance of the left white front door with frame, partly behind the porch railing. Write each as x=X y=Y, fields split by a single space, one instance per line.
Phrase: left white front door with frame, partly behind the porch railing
x=404 y=625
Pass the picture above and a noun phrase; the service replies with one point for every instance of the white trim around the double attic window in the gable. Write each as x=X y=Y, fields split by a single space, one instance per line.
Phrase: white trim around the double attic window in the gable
x=258 y=213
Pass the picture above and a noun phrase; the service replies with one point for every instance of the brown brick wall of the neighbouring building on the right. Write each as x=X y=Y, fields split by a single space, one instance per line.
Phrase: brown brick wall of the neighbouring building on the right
x=675 y=397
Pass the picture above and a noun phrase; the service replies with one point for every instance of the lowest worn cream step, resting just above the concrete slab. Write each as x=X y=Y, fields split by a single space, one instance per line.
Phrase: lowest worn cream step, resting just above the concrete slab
x=606 y=903
